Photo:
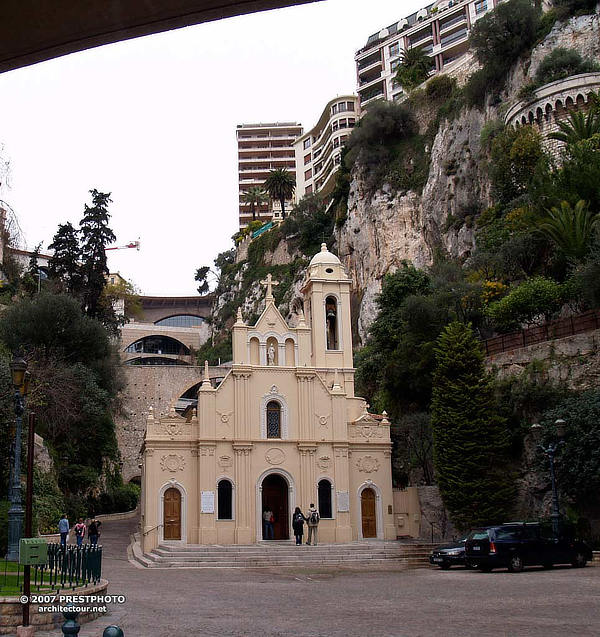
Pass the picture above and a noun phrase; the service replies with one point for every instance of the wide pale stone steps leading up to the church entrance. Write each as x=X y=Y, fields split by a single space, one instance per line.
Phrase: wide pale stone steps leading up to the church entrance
x=282 y=554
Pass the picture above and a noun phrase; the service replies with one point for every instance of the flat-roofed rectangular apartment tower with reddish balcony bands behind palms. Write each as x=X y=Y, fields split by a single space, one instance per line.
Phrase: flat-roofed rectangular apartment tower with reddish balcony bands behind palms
x=262 y=148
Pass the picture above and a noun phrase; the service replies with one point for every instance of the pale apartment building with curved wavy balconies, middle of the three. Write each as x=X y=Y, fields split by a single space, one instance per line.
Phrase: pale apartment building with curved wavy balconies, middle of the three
x=318 y=152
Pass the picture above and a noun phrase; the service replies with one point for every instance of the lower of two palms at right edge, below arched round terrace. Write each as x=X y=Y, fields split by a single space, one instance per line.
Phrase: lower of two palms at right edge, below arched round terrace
x=571 y=230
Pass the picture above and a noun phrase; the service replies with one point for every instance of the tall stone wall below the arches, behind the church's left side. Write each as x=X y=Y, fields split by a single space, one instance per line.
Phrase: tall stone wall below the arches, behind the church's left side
x=158 y=387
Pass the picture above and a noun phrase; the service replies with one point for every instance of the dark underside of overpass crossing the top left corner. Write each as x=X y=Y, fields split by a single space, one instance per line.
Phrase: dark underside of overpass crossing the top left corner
x=36 y=30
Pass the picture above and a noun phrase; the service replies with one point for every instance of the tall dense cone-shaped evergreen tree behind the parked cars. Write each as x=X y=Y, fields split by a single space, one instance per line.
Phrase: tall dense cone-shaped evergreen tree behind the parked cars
x=470 y=437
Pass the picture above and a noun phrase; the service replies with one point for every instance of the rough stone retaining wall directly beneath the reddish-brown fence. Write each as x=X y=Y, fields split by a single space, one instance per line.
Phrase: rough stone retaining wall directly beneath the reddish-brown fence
x=574 y=360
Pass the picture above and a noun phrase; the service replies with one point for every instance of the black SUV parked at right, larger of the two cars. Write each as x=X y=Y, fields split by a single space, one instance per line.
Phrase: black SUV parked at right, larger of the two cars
x=519 y=544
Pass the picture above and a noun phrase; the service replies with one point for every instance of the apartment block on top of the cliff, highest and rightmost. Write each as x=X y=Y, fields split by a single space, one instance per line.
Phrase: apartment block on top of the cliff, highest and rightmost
x=442 y=29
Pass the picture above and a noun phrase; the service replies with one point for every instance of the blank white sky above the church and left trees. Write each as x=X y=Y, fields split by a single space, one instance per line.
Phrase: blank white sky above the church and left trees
x=153 y=120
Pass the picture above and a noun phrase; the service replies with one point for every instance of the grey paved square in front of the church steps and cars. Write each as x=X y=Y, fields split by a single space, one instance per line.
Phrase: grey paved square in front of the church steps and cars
x=420 y=602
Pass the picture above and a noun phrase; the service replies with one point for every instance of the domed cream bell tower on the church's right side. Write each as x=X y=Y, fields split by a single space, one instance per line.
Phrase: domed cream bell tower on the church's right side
x=327 y=304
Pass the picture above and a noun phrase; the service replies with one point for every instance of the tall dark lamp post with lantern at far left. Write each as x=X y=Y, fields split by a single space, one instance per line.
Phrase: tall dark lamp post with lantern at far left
x=20 y=378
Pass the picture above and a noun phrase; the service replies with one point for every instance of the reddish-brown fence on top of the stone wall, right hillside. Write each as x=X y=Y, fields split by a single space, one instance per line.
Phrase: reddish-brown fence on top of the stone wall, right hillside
x=547 y=332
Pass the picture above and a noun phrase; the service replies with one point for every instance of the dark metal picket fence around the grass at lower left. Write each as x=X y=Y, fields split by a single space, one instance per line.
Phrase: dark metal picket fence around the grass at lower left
x=73 y=567
